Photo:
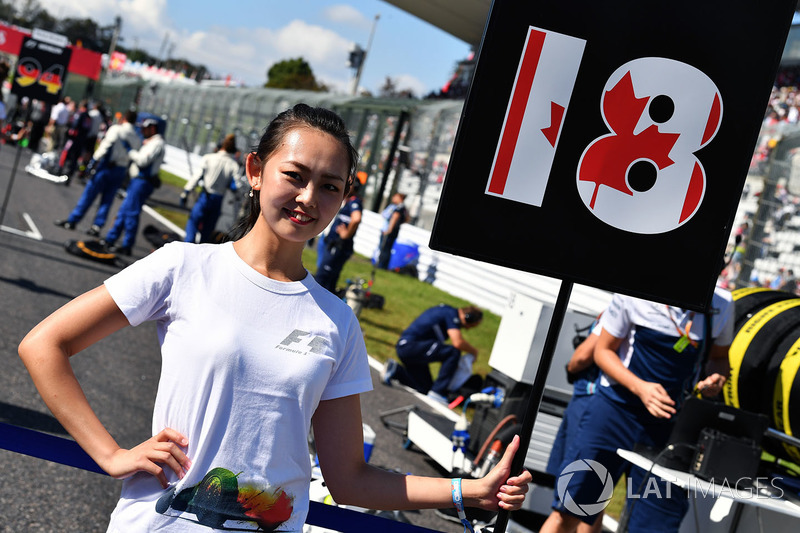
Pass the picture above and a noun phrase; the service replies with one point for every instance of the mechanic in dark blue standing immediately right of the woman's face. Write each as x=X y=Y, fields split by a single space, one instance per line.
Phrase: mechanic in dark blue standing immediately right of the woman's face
x=337 y=245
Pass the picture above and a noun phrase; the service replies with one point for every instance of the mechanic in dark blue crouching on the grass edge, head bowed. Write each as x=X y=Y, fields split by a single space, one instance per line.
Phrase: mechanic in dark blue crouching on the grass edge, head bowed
x=425 y=341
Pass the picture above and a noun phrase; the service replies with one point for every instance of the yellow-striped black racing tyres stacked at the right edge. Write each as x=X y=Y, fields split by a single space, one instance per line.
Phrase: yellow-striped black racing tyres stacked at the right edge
x=765 y=358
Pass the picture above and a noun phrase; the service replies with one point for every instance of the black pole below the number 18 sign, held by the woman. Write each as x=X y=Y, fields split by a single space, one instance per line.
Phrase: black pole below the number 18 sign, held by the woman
x=537 y=390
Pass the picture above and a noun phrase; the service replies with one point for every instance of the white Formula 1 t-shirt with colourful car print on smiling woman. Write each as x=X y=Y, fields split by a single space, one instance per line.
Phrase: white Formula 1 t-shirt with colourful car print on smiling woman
x=245 y=361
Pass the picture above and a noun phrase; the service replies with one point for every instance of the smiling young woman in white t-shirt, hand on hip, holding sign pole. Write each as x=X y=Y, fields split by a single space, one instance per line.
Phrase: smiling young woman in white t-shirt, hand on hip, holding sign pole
x=254 y=353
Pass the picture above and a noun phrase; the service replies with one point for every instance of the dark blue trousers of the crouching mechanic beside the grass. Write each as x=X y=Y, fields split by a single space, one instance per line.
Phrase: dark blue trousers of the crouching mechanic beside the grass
x=417 y=355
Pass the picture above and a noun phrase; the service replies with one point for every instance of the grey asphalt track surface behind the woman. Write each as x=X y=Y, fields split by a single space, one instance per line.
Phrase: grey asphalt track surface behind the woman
x=118 y=374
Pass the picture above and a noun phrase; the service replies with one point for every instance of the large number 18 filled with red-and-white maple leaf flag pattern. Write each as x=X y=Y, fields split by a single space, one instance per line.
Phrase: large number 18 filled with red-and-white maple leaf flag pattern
x=643 y=176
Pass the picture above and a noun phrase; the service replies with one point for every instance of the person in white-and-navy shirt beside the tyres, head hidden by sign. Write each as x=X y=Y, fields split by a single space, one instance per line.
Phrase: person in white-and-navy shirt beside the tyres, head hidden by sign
x=640 y=391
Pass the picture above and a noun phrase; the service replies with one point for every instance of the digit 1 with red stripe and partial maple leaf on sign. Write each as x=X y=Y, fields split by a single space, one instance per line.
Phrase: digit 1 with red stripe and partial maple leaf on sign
x=534 y=118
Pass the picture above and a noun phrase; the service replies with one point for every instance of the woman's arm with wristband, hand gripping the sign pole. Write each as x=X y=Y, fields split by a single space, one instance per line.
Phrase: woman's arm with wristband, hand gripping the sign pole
x=340 y=448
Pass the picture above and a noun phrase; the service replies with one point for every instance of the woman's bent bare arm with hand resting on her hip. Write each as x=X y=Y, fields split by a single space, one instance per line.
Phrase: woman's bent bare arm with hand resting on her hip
x=46 y=350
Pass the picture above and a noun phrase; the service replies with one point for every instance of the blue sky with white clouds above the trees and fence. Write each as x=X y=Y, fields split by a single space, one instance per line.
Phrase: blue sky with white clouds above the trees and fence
x=243 y=38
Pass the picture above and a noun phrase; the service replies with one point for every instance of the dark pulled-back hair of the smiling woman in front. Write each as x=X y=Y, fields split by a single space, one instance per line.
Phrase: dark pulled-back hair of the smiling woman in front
x=301 y=115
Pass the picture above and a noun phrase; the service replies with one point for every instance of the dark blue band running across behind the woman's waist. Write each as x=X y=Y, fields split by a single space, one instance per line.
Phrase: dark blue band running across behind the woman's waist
x=67 y=452
